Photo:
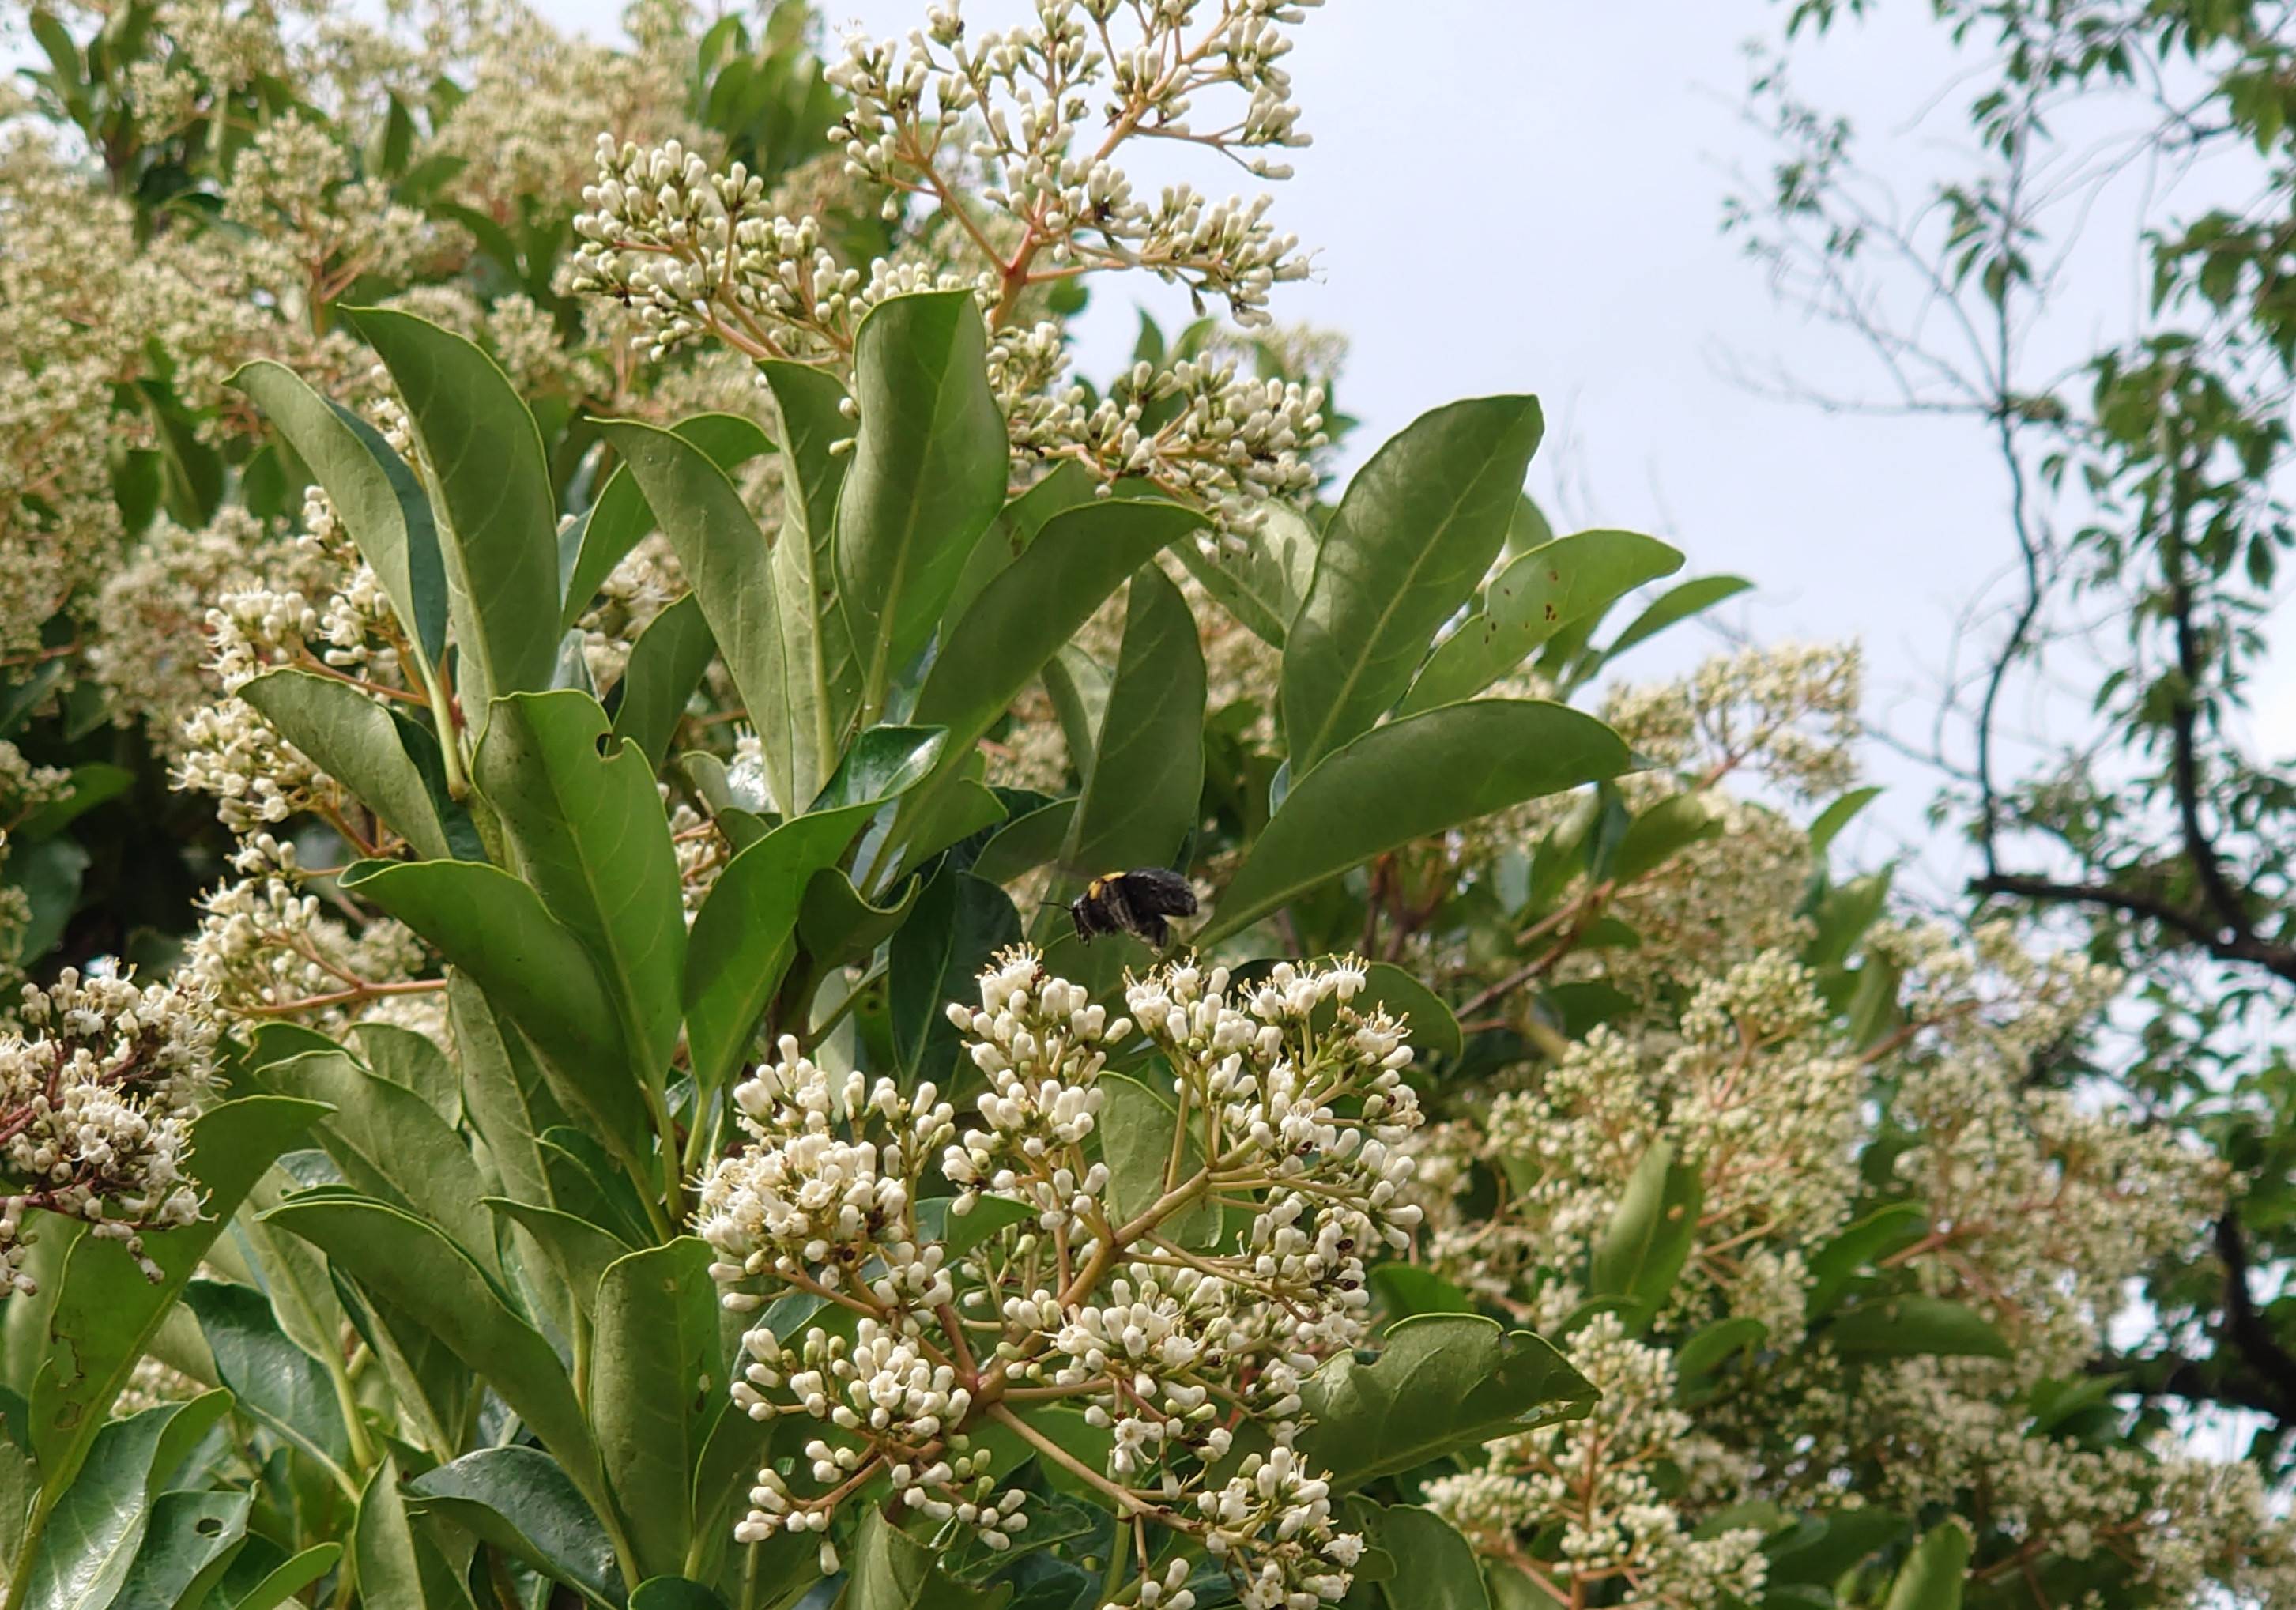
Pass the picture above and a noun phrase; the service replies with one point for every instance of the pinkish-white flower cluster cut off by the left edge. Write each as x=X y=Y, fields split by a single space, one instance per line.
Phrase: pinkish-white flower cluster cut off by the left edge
x=98 y=1090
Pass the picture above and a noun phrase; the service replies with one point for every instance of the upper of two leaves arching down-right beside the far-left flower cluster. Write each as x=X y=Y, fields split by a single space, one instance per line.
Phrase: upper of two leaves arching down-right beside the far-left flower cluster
x=394 y=1147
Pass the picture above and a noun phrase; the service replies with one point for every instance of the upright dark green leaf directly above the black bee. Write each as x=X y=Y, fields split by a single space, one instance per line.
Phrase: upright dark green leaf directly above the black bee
x=1145 y=784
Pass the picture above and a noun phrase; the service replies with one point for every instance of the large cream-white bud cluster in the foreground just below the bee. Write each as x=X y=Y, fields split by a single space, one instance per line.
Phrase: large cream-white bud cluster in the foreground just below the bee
x=1154 y=1306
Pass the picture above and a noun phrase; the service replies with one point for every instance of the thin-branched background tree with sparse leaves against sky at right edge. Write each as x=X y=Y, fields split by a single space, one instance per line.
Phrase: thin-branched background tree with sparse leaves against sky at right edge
x=2148 y=529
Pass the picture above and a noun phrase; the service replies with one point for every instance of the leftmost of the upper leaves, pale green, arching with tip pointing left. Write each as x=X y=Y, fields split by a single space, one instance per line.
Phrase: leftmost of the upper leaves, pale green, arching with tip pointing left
x=375 y=495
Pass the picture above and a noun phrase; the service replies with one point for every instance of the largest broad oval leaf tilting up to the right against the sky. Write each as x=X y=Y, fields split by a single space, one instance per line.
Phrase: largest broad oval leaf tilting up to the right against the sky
x=1409 y=545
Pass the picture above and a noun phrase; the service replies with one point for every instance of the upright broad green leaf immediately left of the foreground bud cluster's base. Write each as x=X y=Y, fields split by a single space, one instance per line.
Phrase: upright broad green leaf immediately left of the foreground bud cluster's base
x=656 y=1379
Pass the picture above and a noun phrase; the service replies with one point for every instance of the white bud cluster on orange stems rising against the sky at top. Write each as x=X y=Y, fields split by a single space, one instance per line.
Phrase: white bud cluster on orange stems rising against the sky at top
x=993 y=139
